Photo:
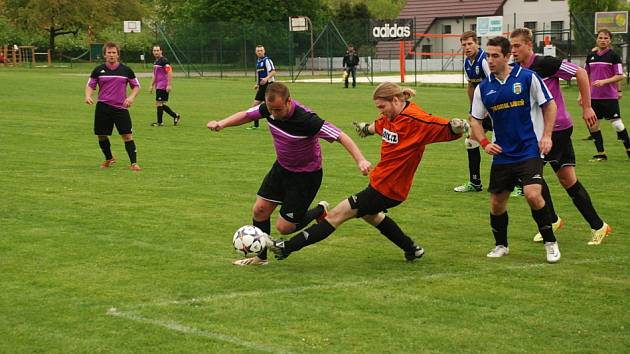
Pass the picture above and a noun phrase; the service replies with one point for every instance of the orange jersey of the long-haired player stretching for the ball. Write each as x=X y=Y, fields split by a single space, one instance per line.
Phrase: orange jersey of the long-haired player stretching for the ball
x=403 y=142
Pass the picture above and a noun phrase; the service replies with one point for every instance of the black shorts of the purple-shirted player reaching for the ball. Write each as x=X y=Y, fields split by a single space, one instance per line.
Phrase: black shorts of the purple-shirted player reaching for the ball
x=294 y=190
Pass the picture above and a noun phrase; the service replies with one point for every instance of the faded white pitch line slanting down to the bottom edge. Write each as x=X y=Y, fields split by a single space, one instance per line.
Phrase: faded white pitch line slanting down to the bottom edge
x=178 y=327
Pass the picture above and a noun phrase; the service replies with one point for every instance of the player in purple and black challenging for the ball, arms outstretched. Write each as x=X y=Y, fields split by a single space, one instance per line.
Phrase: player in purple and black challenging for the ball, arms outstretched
x=295 y=177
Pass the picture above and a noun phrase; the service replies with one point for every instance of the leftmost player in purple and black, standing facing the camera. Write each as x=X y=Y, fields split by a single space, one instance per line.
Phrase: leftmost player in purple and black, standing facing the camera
x=112 y=79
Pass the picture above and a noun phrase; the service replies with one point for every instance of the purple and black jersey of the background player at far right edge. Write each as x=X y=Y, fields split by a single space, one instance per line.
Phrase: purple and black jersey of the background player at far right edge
x=600 y=66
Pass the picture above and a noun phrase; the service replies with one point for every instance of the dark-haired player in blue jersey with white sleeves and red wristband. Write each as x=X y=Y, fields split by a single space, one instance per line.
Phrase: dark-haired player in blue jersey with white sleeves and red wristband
x=523 y=114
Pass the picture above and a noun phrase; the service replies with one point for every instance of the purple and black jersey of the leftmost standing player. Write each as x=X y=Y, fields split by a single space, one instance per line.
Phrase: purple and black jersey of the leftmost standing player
x=112 y=83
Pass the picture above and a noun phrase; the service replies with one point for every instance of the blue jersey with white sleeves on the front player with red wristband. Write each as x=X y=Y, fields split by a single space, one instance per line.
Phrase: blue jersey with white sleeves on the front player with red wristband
x=515 y=109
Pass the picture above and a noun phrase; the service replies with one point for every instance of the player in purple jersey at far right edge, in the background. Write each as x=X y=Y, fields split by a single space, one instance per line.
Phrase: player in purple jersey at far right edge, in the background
x=605 y=70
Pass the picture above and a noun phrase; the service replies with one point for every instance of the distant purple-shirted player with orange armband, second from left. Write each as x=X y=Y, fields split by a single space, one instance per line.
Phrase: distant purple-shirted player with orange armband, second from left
x=162 y=83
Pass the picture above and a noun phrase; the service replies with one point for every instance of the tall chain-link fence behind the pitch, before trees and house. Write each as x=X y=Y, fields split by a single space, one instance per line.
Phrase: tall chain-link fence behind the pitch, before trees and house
x=228 y=48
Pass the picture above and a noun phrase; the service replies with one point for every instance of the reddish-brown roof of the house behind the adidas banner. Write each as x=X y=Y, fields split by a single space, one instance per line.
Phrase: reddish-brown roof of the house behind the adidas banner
x=426 y=12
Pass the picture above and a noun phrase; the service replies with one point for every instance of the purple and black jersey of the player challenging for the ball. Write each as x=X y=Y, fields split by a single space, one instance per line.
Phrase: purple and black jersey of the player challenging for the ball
x=296 y=138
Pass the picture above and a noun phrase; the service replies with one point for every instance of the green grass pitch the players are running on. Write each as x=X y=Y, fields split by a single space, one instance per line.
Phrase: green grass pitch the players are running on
x=115 y=261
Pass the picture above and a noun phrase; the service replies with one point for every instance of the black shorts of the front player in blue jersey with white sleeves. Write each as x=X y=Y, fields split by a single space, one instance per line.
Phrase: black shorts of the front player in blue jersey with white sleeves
x=503 y=178
